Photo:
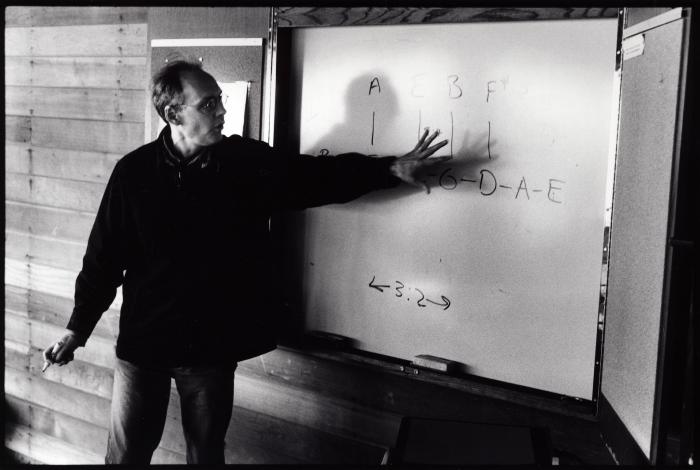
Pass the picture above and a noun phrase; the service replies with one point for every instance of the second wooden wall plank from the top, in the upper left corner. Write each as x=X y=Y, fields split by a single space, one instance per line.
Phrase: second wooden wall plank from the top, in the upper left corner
x=81 y=40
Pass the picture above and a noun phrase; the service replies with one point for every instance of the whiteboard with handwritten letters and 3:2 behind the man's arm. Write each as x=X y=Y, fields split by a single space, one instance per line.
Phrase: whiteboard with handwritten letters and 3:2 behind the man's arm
x=511 y=234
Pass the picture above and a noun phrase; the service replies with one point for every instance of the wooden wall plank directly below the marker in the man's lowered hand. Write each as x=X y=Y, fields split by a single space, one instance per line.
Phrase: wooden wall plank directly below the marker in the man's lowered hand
x=57 y=397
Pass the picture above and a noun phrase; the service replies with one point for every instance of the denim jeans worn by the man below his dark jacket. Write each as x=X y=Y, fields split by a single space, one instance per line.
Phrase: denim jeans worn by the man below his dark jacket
x=140 y=405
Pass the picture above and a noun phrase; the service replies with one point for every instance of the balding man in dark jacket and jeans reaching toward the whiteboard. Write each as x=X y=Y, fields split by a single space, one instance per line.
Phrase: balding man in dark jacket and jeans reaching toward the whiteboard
x=183 y=225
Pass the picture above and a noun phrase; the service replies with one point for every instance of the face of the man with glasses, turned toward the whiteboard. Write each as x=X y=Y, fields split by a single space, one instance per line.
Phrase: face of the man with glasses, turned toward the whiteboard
x=201 y=125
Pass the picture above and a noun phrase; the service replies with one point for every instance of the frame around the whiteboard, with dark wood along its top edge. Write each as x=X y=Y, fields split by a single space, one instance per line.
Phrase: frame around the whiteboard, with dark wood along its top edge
x=287 y=18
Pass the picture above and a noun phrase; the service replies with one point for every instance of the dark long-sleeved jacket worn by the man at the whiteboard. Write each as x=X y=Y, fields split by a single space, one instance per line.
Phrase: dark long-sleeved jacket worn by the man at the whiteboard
x=189 y=241
